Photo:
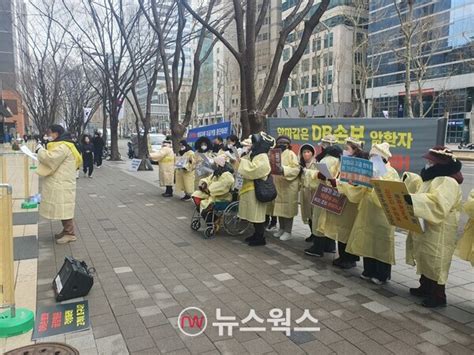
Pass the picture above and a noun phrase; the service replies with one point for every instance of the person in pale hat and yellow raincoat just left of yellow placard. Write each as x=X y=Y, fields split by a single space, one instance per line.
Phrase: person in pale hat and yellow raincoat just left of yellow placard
x=372 y=235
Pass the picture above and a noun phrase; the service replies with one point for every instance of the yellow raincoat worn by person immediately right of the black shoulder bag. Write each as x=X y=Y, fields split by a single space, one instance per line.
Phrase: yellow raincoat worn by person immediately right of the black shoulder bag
x=287 y=185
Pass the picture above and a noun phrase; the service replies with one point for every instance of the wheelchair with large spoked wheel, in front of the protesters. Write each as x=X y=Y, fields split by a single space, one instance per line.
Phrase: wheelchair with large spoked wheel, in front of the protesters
x=217 y=215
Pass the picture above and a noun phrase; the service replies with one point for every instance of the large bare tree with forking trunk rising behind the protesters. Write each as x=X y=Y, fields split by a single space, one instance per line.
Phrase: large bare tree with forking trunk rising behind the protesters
x=248 y=23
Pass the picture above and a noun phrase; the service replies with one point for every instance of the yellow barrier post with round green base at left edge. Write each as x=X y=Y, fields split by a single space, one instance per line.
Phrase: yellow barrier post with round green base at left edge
x=13 y=321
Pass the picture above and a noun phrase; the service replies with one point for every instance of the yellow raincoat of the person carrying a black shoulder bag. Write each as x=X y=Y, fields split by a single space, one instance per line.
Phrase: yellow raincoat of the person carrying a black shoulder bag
x=250 y=208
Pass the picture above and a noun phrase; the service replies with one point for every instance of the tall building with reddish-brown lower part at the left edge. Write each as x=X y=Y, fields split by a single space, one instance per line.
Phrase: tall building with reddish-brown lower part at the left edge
x=12 y=25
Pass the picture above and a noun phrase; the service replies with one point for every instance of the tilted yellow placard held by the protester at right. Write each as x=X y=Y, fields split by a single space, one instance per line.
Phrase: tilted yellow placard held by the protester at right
x=398 y=212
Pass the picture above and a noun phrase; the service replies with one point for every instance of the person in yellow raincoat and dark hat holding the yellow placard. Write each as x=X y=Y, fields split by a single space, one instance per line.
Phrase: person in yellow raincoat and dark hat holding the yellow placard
x=438 y=203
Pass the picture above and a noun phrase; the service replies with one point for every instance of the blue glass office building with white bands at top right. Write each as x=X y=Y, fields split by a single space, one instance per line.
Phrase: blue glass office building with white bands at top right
x=442 y=64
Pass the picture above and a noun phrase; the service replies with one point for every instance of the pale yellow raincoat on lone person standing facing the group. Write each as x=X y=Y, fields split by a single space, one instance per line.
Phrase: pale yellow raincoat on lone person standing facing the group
x=57 y=167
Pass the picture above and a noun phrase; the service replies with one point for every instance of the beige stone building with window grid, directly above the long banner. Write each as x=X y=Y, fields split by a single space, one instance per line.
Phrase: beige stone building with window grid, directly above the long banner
x=321 y=85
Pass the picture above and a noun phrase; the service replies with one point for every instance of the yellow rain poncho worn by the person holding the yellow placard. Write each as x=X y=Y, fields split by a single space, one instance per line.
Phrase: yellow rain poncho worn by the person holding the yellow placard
x=438 y=203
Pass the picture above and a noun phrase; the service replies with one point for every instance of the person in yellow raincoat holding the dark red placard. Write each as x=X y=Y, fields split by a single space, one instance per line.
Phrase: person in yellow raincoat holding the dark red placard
x=329 y=155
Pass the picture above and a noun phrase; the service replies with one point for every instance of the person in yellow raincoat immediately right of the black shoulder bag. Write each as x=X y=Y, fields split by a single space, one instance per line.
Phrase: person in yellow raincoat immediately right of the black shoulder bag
x=287 y=186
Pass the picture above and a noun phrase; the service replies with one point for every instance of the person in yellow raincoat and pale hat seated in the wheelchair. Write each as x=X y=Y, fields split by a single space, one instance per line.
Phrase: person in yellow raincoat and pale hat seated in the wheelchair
x=215 y=188
